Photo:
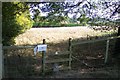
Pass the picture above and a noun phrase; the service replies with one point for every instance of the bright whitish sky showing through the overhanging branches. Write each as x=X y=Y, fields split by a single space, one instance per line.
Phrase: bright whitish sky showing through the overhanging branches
x=100 y=11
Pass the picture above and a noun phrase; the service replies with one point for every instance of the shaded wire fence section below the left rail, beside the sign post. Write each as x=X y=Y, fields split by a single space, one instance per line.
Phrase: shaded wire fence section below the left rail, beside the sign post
x=21 y=63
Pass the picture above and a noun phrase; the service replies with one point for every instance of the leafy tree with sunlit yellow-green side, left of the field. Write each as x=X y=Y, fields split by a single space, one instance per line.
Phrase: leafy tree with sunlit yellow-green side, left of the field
x=15 y=20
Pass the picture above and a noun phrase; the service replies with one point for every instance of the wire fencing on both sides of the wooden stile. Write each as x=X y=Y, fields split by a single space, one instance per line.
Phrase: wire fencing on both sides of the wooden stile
x=19 y=61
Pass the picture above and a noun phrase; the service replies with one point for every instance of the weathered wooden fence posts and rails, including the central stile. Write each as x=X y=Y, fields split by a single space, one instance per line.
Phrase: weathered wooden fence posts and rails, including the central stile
x=69 y=52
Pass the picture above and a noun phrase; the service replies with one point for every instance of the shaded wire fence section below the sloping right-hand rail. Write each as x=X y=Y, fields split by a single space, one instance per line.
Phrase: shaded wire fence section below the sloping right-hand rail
x=94 y=53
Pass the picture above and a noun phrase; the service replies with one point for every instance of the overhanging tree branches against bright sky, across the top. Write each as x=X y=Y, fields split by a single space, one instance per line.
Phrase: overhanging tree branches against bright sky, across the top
x=91 y=9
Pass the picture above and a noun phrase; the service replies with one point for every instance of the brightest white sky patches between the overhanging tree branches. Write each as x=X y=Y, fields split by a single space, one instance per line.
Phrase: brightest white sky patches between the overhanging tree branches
x=99 y=11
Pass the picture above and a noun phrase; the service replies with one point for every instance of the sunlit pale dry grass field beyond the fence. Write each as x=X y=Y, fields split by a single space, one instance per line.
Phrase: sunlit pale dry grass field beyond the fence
x=54 y=35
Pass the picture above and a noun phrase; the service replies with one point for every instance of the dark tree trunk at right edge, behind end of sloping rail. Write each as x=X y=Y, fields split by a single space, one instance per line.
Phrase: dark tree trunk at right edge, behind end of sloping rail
x=117 y=45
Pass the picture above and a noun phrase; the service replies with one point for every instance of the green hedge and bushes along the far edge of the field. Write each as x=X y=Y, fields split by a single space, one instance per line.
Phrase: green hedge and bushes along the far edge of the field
x=60 y=21
